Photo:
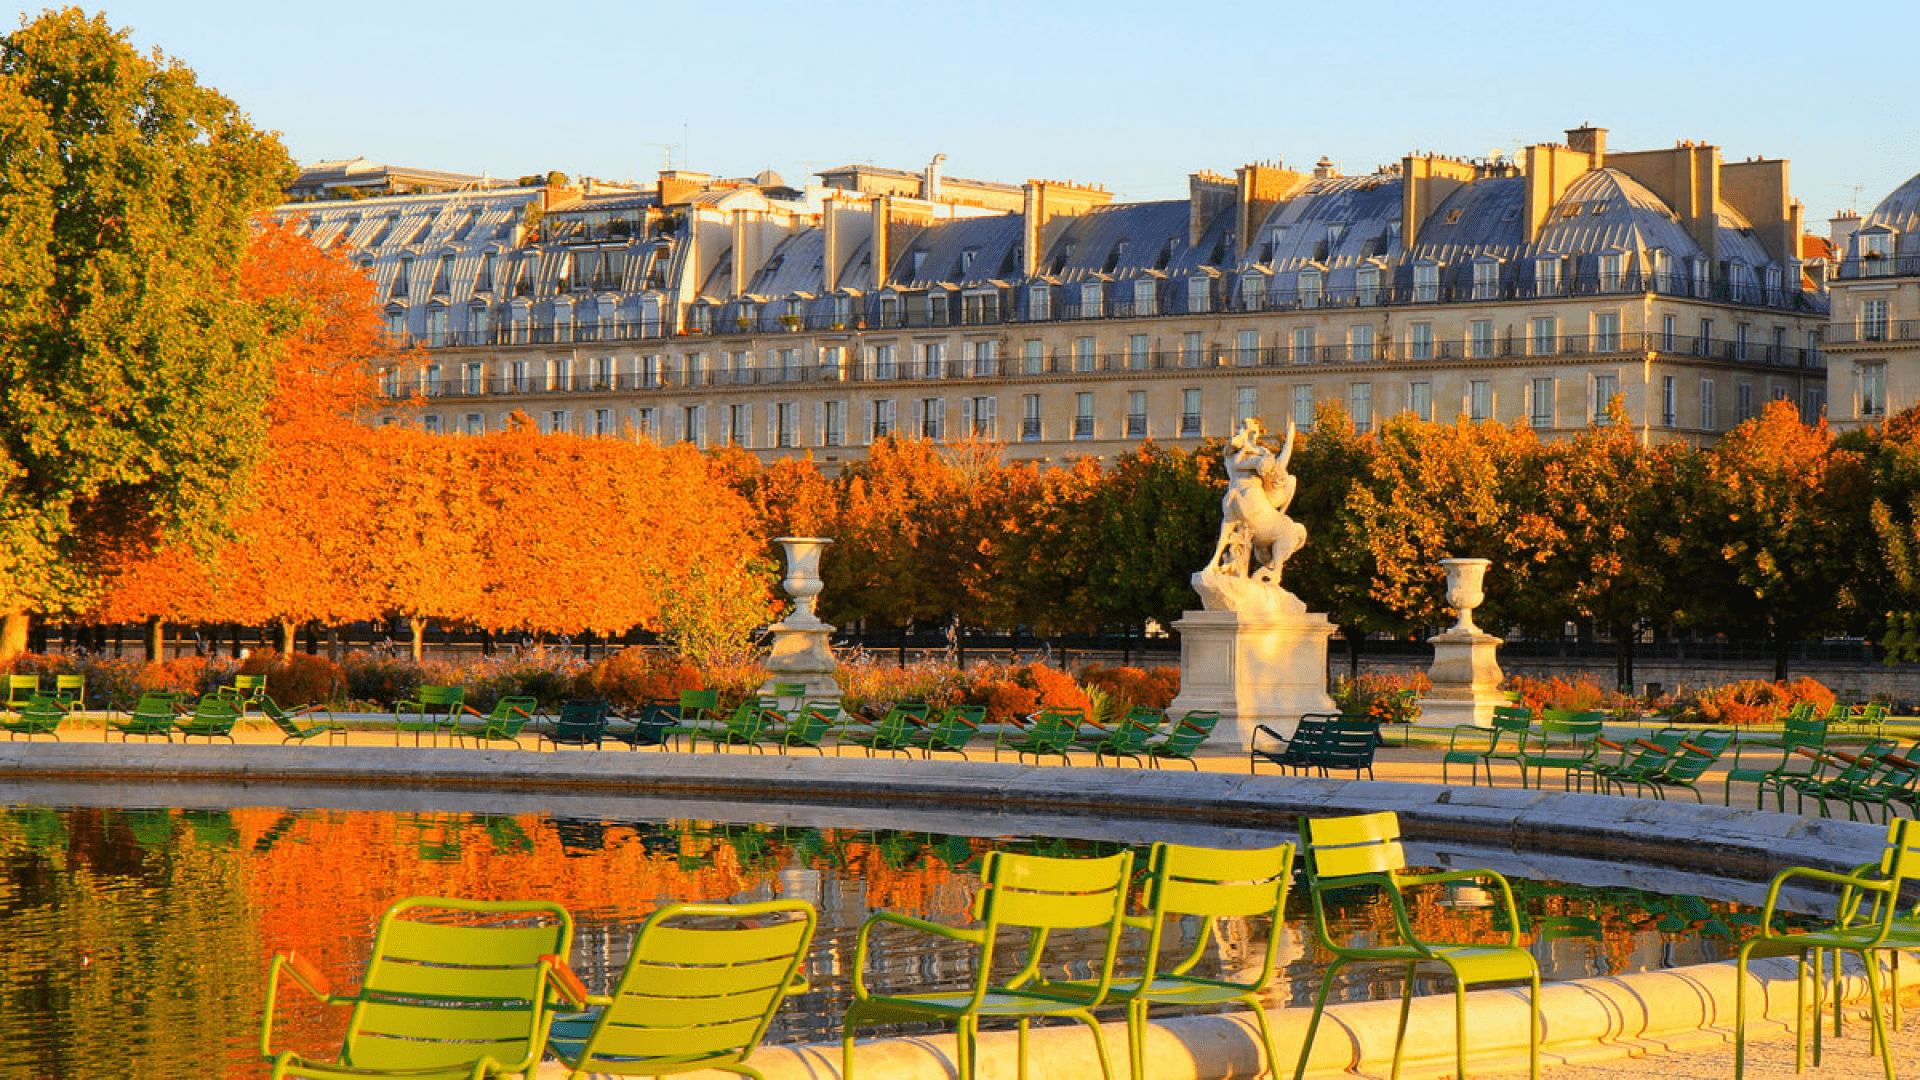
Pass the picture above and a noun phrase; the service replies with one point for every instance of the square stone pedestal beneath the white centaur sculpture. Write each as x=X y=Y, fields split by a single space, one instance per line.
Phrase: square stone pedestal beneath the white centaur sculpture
x=1255 y=670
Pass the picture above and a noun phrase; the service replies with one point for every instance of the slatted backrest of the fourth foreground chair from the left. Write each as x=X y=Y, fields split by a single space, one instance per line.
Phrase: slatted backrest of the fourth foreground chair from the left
x=1214 y=885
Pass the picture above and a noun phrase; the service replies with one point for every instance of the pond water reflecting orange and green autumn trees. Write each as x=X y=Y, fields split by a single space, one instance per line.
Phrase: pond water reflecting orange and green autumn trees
x=133 y=943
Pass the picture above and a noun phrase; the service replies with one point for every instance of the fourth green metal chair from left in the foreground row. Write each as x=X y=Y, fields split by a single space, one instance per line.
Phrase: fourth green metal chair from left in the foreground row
x=1212 y=887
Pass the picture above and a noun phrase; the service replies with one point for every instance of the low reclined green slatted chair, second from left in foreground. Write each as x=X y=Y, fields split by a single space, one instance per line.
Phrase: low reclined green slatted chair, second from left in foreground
x=700 y=989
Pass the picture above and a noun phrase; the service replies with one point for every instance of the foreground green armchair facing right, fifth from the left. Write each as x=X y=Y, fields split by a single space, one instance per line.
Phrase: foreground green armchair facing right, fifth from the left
x=1364 y=854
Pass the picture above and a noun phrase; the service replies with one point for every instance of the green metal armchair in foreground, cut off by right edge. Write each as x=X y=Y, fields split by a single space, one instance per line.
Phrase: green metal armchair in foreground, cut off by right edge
x=1865 y=937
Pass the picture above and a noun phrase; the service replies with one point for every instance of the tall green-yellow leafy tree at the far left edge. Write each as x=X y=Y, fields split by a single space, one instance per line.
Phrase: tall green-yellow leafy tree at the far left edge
x=133 y=374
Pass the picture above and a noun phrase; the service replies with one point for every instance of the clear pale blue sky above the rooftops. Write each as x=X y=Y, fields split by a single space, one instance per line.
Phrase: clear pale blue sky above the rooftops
x=1126 y=95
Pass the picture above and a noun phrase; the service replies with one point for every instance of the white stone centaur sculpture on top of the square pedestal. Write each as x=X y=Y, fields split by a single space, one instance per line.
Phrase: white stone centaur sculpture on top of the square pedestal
x=1255 y=535
